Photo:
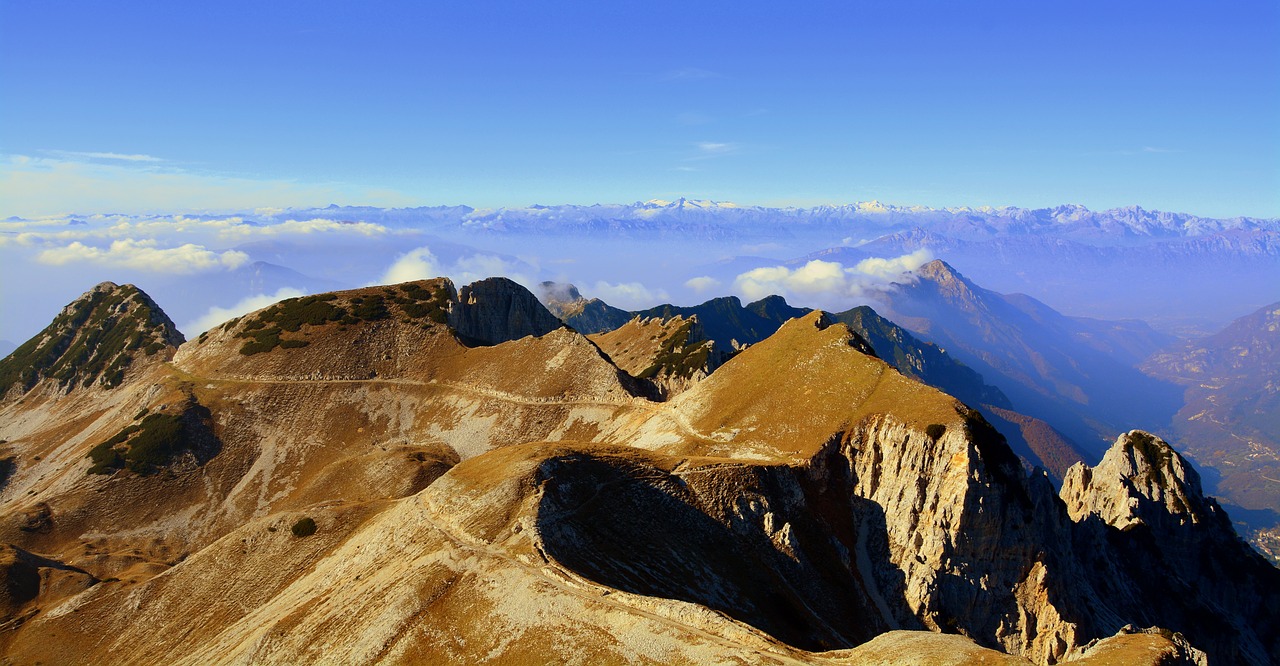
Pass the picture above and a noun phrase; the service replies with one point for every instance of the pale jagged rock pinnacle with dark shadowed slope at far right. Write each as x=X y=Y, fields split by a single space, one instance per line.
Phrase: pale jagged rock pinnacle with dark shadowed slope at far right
x=1144 y=505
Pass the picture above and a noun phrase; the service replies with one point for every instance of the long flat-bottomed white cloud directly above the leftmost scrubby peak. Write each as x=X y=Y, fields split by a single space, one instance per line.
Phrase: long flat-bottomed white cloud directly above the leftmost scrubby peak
x=145 y=256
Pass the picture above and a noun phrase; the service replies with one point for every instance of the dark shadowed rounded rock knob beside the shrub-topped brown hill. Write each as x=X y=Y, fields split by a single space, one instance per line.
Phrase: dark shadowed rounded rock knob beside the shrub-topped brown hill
x=499 y=311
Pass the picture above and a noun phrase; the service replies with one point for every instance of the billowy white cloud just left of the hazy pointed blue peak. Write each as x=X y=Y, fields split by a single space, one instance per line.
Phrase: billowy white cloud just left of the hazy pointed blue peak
x=829 y=284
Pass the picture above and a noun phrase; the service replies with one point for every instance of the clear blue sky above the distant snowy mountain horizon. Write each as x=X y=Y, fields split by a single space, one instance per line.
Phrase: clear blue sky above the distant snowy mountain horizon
x=129 y=107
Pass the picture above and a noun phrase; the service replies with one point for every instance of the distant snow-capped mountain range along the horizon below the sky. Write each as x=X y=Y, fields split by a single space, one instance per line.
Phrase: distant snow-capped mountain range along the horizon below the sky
x=717 y=220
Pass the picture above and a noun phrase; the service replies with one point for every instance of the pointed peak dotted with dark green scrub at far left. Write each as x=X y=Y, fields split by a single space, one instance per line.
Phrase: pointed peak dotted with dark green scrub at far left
x=94 y=341
